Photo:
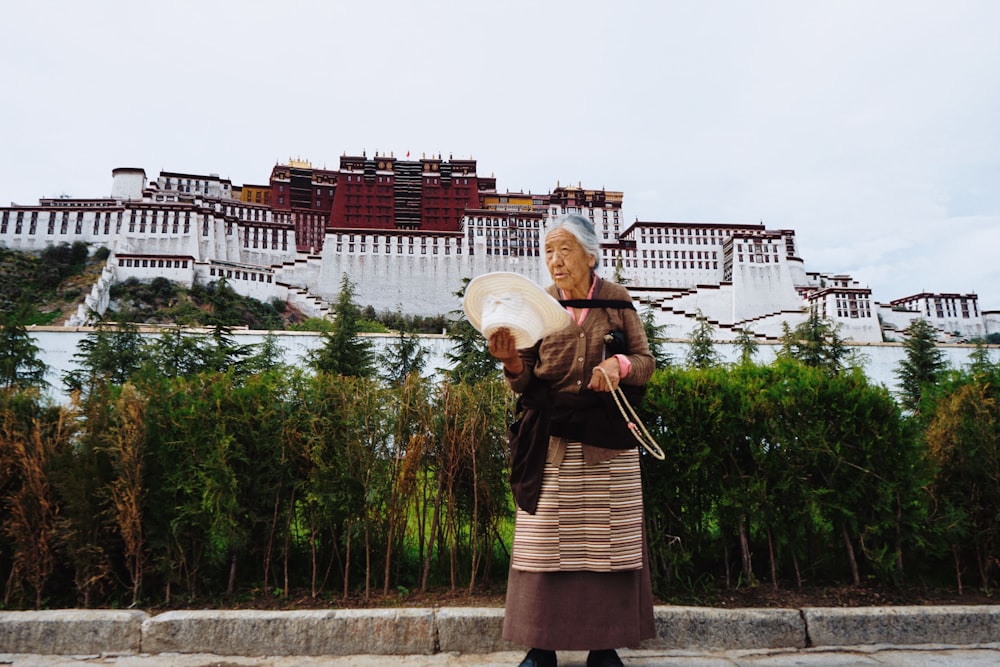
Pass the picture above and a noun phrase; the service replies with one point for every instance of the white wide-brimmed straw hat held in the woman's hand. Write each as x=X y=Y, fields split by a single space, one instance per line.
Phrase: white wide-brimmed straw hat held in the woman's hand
x=502 y=299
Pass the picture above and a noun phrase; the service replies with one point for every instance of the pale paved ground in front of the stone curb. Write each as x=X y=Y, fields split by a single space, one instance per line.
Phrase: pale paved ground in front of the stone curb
x=869 y=656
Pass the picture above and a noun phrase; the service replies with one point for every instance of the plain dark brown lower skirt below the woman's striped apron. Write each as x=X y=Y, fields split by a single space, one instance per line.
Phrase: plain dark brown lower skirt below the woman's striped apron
x=580 y=610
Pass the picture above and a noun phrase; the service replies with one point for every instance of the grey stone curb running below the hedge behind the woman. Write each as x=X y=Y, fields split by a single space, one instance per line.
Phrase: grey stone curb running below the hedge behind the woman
x=471 y=630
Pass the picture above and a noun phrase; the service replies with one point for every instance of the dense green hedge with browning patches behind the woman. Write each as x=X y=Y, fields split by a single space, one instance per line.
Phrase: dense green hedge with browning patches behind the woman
x=224 y=487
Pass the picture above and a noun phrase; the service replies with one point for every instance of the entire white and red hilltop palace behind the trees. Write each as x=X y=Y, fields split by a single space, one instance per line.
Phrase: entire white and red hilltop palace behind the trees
x=407 y=232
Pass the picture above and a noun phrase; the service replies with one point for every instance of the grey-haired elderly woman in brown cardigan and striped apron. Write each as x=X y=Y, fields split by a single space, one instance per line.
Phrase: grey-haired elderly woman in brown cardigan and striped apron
x=579 y=576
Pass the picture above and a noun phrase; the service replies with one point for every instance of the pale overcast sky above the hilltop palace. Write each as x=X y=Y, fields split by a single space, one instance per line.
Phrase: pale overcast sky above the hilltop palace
x=870 y=127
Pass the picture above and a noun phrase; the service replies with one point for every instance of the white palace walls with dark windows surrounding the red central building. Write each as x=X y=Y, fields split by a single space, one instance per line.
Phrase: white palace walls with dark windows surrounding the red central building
x=187 y=229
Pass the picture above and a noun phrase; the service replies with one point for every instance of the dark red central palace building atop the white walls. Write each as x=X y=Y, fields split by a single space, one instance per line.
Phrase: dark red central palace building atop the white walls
x=429 y=194
